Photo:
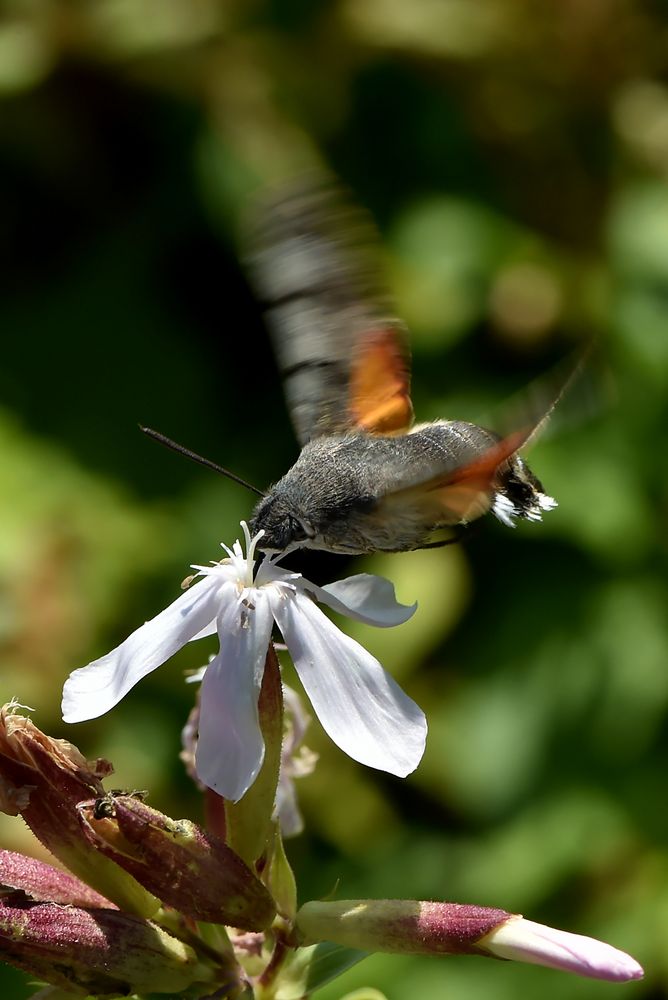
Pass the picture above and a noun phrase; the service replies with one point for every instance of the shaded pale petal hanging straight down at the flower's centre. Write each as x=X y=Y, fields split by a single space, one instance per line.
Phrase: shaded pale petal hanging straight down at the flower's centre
x=230 y=749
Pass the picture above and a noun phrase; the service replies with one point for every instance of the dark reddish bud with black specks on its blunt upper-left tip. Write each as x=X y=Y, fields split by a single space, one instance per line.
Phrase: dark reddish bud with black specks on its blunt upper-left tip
x=191 y=870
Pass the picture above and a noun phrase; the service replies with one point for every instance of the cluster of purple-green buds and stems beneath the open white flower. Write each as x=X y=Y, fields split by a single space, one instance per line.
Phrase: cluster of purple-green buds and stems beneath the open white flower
x=161 y=906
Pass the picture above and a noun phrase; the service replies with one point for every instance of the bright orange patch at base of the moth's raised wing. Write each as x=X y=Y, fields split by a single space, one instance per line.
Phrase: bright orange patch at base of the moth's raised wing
x=380 y=401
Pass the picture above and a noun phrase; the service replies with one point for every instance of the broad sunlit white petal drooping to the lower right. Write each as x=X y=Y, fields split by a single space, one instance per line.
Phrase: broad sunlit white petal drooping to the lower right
x=359 y=705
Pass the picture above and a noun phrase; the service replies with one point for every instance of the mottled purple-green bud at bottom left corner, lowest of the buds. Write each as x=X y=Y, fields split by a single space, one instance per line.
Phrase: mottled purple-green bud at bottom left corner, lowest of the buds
x=95 y=951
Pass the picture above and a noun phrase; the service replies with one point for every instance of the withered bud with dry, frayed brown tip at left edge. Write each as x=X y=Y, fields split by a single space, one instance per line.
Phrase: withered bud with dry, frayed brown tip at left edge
x=43 y=780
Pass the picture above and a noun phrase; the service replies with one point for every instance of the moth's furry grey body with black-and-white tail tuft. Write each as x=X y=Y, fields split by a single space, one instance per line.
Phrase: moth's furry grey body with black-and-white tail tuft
x=355 y=493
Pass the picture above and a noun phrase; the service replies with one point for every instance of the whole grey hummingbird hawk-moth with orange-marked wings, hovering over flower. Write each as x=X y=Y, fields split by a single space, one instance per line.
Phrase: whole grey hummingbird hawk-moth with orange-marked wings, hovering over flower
x=367 y=478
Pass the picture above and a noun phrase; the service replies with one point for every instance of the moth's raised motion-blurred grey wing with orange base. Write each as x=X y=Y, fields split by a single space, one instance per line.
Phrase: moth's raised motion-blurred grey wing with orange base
x=343 y=356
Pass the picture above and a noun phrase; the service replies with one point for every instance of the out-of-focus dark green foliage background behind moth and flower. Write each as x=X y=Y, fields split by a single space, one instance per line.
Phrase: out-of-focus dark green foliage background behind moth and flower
x=514 y=154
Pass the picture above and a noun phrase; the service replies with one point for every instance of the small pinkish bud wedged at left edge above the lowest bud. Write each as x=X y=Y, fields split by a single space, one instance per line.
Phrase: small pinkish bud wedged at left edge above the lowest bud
x=45 y=884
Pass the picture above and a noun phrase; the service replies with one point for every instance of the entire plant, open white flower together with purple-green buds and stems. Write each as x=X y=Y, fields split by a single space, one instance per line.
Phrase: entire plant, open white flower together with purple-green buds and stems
x=154 y=905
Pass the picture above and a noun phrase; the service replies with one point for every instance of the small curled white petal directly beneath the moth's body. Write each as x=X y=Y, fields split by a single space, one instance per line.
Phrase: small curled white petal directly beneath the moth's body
x=367 y=598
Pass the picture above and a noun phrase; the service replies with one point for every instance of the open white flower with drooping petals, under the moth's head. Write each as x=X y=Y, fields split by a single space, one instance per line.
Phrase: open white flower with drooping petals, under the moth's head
x=361 y=707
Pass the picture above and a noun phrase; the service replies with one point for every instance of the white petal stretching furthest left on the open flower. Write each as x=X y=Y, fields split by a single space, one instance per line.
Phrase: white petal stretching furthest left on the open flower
x=92 y=690
